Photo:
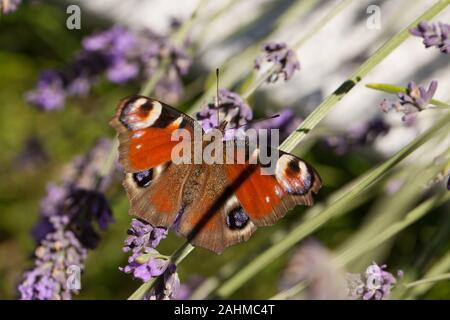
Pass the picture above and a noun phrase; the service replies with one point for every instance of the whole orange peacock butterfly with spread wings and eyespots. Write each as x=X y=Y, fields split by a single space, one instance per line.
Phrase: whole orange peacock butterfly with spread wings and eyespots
x=214 y=205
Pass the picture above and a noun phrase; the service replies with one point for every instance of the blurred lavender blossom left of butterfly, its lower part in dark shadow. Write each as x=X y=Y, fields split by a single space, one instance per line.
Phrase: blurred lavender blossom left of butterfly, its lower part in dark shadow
x=79 y=197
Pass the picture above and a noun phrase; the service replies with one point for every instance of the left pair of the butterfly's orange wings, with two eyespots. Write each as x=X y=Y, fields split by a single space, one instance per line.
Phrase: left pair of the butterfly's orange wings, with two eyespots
x=153 y=184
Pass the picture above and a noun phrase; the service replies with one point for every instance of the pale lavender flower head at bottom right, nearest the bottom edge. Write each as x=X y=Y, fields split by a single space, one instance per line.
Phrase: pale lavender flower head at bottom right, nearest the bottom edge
x=374 y=284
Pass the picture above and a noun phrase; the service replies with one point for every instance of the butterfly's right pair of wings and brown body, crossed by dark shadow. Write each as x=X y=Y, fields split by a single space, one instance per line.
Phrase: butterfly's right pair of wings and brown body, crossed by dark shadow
x=225 y=203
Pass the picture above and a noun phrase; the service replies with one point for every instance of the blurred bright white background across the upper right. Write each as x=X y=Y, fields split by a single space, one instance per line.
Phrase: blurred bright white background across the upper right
x=327 y=58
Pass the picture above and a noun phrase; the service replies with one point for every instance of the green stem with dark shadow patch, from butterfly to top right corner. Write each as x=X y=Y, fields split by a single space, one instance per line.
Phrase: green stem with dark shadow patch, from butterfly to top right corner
x=323 y=109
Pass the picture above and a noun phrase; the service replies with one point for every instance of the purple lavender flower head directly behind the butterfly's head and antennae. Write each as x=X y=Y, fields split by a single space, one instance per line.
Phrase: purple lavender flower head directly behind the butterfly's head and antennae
x=232 y=109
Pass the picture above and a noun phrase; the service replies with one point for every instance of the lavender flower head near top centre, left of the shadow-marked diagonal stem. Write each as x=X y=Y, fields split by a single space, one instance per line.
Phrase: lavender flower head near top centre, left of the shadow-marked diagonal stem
x=279 y=54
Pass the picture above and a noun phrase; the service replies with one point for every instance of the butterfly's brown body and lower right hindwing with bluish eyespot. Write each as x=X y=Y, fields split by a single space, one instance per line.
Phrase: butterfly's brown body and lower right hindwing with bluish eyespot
x=212 y=217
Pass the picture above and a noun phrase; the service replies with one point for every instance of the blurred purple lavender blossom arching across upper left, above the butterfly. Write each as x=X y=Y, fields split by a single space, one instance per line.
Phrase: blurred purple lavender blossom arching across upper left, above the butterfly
x=123 y=56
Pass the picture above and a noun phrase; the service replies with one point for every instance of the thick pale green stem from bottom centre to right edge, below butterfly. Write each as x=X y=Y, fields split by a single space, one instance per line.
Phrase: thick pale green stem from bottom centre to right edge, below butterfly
x=330 y=211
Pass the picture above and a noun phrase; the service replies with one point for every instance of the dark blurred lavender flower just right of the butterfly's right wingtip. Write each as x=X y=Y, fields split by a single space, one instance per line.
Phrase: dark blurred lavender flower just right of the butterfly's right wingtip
x=358 y=136
